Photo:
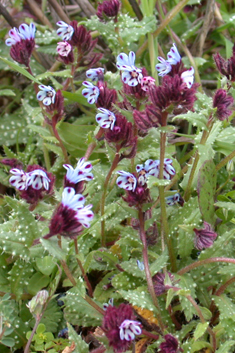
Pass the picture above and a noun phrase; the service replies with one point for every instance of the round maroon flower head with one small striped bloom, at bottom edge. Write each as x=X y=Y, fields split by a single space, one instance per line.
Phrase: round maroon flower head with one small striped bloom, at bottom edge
x=120 y=327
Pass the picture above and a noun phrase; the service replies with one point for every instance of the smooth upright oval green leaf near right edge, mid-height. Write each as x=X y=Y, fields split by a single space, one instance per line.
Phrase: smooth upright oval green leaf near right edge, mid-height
x=206 y=188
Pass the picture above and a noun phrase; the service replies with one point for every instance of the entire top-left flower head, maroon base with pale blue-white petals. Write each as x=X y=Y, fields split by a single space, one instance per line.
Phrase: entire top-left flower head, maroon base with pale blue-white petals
x=22 y=43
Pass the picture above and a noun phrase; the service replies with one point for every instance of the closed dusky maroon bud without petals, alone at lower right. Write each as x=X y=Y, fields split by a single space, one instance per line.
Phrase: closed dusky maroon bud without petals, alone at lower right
x=204 y=238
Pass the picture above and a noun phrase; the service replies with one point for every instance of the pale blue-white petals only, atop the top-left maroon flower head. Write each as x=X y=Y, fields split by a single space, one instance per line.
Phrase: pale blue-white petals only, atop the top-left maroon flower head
x=25 y=32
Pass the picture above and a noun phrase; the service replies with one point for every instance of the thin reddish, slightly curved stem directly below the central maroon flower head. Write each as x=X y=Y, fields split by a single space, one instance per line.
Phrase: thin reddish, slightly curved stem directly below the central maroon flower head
x=102 y=202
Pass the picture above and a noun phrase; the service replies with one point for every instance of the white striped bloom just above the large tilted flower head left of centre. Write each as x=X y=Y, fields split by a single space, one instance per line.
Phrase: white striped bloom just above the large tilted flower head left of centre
x=81 y=172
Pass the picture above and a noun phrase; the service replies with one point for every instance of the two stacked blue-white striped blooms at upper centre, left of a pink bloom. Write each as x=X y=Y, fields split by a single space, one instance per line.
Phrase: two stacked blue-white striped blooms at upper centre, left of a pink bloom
x=131 y=75
